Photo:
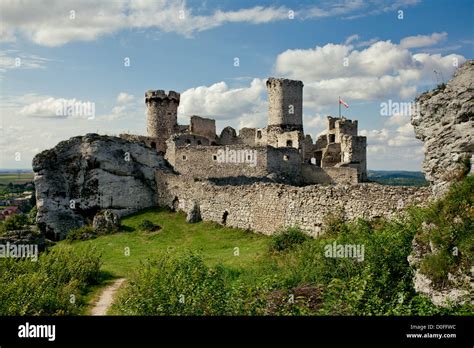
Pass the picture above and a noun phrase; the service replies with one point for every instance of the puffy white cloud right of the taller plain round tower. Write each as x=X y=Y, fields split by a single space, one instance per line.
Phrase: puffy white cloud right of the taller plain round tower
x=380 y=71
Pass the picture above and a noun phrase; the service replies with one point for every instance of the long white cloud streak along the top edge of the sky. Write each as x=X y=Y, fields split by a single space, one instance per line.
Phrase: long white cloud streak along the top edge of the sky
x=57 y=22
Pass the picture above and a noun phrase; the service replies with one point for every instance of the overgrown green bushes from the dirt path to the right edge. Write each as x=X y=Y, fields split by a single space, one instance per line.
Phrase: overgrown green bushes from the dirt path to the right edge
x=306 y=280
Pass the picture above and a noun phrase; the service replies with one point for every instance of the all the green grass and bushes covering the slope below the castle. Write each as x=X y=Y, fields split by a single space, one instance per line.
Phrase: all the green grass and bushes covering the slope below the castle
x=207 y=269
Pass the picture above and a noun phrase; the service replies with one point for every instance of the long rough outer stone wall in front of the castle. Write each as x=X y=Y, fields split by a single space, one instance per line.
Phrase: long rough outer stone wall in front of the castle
x=266 y=208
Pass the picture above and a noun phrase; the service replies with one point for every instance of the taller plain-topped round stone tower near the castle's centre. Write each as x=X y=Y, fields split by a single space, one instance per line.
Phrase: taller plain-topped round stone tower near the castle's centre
x=285 y=104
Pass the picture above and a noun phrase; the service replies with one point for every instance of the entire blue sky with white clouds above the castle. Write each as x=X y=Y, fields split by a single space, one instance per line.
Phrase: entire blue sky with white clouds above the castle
x=50 y=56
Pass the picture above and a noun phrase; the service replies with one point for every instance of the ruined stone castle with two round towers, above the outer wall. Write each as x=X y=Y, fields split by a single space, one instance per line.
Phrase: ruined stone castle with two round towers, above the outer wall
x=280 y=152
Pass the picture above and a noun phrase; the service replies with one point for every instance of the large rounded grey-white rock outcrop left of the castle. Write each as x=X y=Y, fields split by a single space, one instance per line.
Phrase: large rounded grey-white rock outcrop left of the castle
x=86 y=174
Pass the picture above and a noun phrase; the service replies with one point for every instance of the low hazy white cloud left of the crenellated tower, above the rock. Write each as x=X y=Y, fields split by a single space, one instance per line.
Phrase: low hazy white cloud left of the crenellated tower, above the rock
x=29 y=124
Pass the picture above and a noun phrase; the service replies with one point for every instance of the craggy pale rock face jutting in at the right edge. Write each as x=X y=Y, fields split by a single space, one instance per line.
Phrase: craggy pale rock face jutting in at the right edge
x=444 y=121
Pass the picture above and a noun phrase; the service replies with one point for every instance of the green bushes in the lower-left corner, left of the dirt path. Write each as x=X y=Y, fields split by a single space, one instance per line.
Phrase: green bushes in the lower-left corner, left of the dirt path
x=50 y=286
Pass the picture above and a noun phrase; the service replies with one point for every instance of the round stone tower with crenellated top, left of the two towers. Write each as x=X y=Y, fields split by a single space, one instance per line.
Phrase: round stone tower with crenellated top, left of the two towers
x=162 y=115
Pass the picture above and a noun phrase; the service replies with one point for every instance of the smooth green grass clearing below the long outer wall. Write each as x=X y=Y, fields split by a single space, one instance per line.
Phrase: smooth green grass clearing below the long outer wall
x=215 y=243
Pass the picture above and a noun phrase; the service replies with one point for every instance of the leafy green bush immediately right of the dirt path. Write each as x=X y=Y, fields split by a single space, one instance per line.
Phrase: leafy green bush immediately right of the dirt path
x=184 y=285
